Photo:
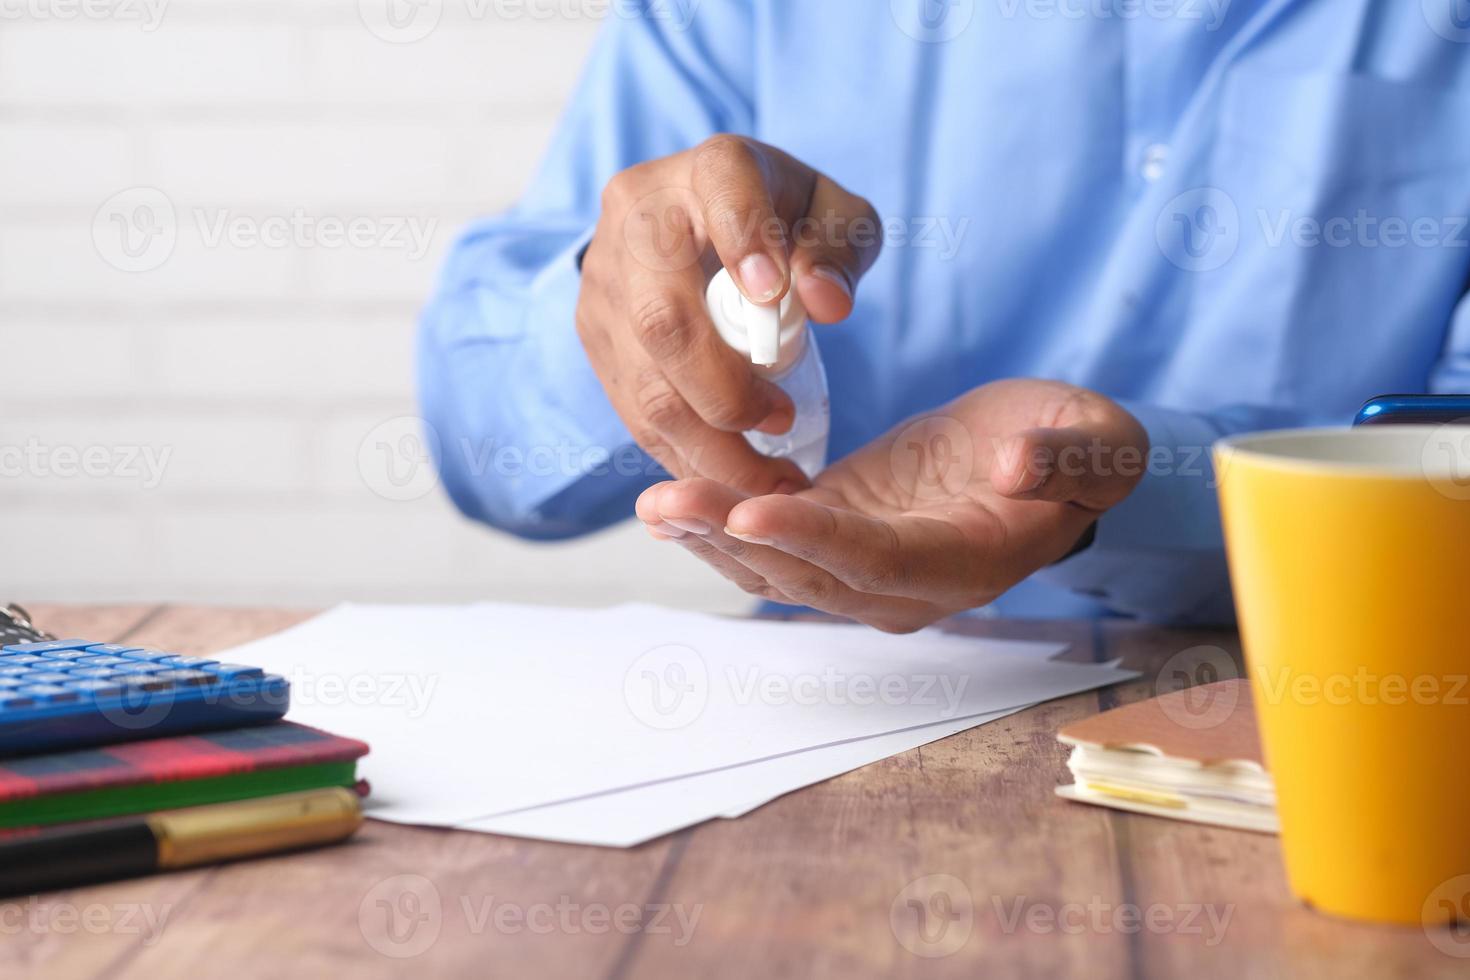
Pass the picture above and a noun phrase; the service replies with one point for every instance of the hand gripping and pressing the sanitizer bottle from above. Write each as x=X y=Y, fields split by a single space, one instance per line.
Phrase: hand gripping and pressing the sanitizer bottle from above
x=665 y=228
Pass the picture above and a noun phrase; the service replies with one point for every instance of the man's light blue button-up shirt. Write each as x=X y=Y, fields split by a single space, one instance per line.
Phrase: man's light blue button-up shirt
x=1225 y=215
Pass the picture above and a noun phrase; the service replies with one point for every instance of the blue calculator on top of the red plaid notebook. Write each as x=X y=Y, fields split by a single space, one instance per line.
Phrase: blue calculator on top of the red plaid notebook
x=60 y=694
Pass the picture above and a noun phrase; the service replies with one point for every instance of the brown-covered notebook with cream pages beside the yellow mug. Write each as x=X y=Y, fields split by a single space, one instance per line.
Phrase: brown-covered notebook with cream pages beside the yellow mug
x=1168 y=759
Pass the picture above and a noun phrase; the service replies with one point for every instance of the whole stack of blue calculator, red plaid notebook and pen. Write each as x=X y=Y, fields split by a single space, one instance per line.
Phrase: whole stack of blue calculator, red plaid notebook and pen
x=123 y=760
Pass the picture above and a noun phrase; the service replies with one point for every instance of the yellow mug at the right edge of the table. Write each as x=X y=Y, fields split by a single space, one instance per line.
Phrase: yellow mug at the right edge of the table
x=1350 y=559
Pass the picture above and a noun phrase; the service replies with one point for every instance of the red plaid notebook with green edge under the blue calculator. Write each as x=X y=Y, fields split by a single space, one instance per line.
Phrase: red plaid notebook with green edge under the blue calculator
x=186 y=771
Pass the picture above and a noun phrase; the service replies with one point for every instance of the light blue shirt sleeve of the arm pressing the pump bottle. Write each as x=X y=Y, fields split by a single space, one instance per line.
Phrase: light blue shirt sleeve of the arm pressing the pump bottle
x=523 y=434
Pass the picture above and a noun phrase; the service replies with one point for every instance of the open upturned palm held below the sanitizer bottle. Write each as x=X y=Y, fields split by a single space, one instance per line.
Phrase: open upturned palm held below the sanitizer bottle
x=942 y=515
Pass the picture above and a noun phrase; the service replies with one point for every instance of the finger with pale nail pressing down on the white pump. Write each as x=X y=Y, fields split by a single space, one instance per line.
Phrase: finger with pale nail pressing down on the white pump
x=733 y=177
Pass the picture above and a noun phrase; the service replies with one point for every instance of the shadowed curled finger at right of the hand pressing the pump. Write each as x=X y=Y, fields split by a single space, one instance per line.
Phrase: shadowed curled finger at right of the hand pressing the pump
x=834 y=248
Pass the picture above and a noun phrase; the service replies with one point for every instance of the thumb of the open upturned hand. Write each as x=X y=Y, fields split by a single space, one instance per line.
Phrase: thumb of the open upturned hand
x=1089 y=466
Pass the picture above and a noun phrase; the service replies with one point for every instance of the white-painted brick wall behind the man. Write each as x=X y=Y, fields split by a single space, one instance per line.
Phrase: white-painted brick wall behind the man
x=254 y=374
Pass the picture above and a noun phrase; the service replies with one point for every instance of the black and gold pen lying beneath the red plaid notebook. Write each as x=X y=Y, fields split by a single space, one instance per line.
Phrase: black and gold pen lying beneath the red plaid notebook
x=177 y=840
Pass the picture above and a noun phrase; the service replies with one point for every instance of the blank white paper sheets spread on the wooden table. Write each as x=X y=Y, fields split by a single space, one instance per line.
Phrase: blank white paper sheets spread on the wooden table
x=617 y=727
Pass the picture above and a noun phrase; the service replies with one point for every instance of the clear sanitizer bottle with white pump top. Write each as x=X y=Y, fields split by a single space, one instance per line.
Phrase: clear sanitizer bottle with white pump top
x=784 y=352
